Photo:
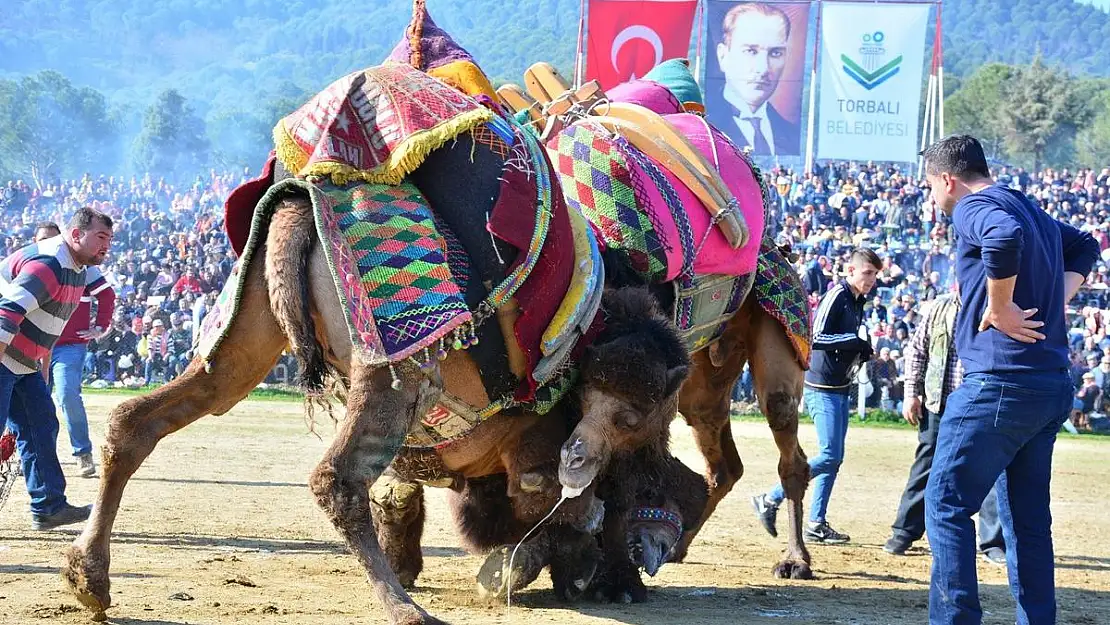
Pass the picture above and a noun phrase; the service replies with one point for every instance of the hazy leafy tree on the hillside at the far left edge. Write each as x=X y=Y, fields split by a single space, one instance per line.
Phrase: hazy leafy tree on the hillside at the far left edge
x=52 y=128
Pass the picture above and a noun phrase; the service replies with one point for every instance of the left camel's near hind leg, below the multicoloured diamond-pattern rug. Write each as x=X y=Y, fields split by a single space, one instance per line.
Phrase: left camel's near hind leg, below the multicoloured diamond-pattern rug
x=368 y=441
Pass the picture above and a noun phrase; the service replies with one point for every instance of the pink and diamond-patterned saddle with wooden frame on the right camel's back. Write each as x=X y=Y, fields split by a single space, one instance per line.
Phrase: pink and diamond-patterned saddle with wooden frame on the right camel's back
x=668 y=191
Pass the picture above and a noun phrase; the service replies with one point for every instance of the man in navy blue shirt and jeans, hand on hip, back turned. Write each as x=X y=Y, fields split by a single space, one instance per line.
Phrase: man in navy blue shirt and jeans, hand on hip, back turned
x=1017 y=268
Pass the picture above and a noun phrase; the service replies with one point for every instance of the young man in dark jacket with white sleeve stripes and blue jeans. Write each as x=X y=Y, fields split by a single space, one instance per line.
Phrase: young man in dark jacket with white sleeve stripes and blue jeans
x=841 y=347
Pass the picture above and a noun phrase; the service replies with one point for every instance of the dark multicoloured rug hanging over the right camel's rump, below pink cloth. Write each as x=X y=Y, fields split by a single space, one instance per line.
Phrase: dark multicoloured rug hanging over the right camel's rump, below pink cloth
x=780 y=293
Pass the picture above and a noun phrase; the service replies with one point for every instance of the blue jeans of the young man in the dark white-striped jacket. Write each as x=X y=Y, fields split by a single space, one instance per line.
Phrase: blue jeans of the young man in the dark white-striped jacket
x=831 y=416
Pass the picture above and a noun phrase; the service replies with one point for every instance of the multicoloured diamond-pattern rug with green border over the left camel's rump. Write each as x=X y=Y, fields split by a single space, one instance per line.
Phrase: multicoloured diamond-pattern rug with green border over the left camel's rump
x=389 y=265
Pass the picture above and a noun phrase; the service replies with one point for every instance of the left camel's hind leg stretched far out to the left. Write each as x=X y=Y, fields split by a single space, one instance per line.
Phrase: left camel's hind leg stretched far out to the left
x=250 y=351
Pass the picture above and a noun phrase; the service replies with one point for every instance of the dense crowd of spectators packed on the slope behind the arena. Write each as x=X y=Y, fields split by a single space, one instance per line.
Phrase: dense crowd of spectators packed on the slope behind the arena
x=171 y=258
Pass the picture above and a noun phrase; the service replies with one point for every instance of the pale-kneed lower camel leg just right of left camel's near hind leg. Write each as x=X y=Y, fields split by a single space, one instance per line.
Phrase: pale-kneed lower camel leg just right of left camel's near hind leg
x=398 y=508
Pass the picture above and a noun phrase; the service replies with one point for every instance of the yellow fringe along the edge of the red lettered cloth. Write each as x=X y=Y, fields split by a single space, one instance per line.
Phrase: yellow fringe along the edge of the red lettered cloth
x=402 y=162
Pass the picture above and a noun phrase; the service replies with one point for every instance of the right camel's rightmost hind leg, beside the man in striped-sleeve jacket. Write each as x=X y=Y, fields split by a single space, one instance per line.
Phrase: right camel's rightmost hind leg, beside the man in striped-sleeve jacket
x=779 y=382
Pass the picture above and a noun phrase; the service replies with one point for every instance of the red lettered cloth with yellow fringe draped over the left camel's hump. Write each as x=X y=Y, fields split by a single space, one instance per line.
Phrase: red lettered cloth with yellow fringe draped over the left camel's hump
x=376 y=126
